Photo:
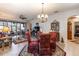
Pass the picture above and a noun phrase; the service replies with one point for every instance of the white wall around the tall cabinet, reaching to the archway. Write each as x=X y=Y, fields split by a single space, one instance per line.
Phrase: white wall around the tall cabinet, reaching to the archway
x=62 y=17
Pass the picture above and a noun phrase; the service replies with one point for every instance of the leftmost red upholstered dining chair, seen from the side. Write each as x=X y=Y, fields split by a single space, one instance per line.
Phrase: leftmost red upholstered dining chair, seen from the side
x=33 y=45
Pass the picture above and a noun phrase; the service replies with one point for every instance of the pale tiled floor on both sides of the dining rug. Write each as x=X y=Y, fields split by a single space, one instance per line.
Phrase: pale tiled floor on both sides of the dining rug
x=71 y=49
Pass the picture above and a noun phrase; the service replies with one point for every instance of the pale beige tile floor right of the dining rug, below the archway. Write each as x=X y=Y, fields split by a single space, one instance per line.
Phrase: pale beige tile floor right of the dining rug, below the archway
x=71 y=48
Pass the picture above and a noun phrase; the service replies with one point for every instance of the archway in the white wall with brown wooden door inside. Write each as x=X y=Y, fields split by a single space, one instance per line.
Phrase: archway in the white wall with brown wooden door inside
x=73 y=28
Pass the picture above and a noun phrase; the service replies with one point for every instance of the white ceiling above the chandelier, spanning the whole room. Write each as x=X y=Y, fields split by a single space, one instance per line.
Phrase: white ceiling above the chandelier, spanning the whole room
x=31 y=10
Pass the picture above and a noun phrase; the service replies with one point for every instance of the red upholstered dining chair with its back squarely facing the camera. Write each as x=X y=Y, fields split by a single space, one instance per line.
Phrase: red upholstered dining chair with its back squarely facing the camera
x=44 y=48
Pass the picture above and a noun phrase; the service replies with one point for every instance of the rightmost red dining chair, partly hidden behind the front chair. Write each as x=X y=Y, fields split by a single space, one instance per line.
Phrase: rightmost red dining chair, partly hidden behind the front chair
x=53 y=39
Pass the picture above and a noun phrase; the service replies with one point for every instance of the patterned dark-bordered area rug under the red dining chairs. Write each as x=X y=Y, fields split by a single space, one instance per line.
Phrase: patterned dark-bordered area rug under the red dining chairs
x=58 y=52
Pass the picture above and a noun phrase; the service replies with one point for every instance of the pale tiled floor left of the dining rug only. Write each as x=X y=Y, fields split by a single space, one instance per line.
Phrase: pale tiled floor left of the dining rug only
x=14 y=50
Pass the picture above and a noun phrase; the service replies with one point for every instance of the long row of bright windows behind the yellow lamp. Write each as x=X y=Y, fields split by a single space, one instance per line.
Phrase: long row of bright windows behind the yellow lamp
x=13 y=26
